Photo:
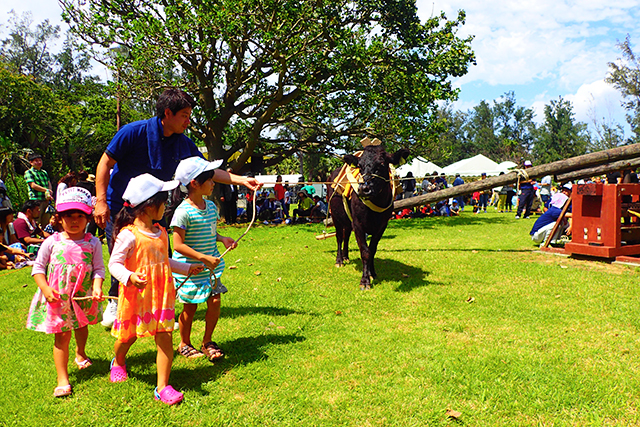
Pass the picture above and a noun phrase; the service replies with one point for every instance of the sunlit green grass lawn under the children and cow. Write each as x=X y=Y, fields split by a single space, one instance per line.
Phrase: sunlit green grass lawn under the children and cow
x=464 y=316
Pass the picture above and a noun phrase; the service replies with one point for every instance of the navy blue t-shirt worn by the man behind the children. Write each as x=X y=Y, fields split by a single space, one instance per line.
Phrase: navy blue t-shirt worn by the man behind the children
x=140 y=147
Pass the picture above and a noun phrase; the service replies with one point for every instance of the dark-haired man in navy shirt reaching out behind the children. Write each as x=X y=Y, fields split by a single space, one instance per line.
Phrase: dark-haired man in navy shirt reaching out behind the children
x=155 y=146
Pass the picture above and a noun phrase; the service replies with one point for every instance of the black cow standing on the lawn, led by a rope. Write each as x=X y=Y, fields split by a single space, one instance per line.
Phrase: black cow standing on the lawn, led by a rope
x=375 y=187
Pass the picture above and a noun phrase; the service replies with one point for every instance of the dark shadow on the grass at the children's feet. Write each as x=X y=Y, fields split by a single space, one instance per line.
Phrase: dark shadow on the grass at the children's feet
x=241 y=351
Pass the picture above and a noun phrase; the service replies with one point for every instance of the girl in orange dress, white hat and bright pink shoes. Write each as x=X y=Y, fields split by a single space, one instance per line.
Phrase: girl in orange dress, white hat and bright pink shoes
x=140 y=262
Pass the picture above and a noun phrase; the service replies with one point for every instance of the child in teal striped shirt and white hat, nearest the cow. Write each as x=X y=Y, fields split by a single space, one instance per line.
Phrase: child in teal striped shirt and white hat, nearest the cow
x=195 y=238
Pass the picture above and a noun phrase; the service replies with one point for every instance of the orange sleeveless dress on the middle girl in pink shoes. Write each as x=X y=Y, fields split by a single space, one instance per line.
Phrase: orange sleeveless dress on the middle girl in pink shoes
x=143 y=313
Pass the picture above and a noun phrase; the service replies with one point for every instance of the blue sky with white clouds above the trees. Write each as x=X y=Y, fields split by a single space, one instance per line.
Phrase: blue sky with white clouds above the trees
x=538 y=49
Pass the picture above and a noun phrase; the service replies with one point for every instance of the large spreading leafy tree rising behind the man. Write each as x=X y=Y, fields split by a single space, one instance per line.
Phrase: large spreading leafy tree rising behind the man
x=339 y=69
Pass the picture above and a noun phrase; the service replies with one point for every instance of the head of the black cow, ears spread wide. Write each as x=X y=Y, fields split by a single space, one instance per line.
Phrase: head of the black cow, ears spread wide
x=374 y=168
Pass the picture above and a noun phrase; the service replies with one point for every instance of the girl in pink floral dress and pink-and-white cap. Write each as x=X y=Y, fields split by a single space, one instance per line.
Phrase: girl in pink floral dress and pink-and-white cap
x=69 y=272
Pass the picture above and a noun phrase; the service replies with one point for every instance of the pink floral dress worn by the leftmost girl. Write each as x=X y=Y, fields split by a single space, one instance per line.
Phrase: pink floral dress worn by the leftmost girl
x=69 y=272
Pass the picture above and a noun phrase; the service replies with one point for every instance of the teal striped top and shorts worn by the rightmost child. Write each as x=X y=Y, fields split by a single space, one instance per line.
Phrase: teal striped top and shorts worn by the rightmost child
x=200 y=226
